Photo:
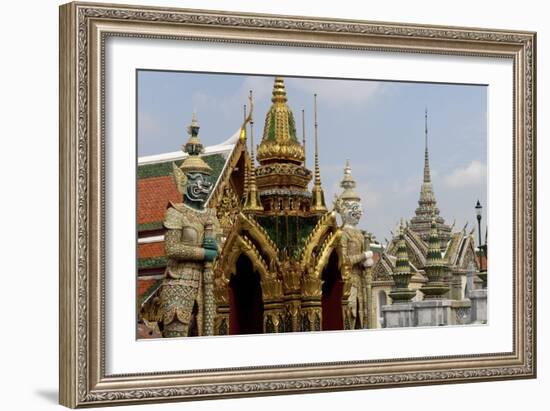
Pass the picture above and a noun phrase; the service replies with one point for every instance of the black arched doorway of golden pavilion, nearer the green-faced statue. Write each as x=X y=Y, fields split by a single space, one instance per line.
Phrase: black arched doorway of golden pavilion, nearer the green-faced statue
x=246 y=307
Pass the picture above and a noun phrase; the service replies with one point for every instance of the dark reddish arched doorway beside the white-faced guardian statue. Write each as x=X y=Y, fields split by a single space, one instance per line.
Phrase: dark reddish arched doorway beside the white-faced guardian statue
x=332 y=295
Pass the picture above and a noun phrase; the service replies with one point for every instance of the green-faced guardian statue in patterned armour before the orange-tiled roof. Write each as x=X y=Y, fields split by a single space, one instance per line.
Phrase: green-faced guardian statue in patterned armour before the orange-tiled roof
x=191 y=245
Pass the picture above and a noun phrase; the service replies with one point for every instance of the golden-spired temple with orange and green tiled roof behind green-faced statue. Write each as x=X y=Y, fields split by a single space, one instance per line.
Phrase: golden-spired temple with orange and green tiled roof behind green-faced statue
x=280 y=268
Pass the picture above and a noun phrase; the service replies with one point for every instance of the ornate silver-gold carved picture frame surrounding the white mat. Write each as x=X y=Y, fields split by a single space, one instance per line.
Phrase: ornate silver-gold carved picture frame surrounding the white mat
x=85 y=28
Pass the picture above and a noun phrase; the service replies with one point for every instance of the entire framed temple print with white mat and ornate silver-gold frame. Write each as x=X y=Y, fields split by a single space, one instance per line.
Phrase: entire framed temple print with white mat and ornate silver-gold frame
x=258 y=204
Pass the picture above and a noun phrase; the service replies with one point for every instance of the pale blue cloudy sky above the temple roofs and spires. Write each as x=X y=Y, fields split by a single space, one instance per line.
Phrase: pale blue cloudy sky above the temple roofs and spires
x=378 y=126
